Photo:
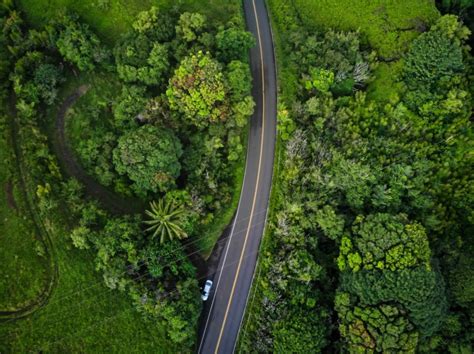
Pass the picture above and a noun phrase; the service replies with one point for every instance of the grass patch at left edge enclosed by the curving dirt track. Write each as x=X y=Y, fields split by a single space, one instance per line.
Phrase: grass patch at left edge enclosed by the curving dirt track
x=23 y=273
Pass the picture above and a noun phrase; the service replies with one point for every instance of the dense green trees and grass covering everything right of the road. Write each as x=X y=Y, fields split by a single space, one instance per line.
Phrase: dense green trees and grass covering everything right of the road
x=370 y=238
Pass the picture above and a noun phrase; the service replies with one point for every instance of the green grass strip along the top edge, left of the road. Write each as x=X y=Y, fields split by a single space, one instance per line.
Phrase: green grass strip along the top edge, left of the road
x=111 y=18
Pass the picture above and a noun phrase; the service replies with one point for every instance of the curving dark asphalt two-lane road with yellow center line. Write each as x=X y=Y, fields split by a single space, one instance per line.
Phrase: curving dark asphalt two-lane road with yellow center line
x=224 y=310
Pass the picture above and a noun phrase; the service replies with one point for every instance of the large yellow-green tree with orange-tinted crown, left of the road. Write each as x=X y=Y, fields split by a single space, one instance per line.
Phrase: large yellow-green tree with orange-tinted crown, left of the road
x=197 y=90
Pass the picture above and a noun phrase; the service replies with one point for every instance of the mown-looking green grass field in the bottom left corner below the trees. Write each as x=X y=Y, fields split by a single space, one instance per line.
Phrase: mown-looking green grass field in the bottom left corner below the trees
x=83 y=315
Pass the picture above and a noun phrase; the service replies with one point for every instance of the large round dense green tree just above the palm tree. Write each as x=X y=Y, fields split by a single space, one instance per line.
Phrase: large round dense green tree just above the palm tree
x=149 y=156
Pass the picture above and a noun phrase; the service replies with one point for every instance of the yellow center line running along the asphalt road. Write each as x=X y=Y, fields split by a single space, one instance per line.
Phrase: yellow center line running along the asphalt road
x=256 y=185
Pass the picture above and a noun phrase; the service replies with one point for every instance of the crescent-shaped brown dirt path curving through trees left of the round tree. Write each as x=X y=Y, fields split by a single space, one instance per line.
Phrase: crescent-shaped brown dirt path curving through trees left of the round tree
x=109 y=200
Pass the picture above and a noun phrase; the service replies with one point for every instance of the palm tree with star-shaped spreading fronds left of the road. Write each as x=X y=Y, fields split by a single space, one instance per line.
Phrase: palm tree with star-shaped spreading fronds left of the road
x=164 y=221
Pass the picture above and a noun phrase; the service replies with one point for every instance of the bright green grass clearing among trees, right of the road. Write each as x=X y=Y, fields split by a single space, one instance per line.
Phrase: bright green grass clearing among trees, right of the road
x=388 y=26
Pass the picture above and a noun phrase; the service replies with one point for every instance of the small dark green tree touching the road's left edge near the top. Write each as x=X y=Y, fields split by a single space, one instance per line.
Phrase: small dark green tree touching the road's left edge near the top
x=234 y=44
